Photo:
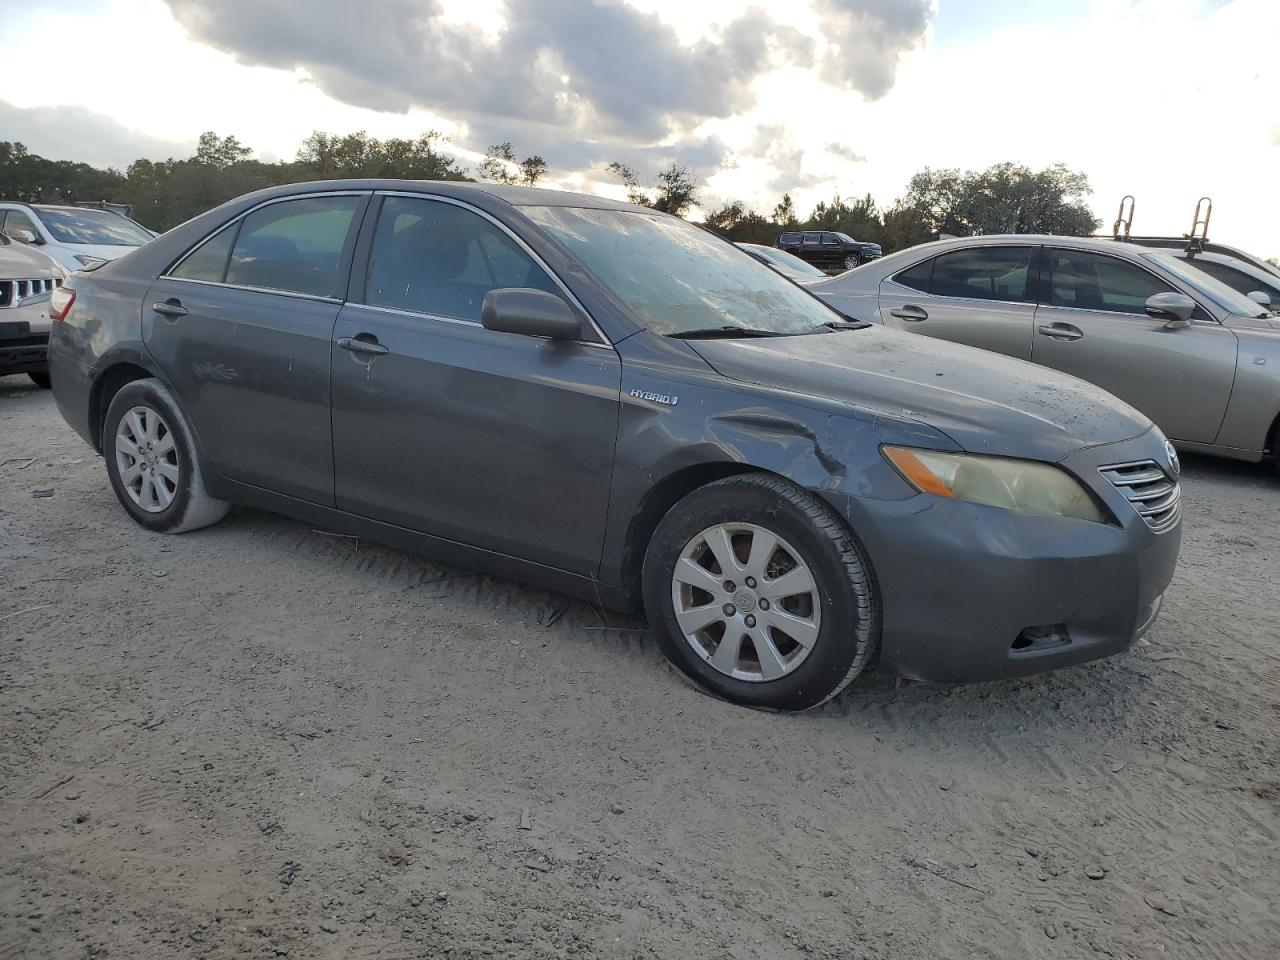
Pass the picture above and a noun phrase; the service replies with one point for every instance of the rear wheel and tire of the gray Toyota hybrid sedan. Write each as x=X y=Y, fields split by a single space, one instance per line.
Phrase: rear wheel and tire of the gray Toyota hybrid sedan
x=170 y=495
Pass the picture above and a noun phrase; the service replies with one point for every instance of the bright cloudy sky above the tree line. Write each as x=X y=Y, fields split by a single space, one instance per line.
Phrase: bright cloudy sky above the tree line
x=1168 y=100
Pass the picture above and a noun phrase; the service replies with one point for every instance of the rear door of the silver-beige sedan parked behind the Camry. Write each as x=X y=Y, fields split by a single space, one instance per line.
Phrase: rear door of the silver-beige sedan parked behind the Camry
x=984 y=296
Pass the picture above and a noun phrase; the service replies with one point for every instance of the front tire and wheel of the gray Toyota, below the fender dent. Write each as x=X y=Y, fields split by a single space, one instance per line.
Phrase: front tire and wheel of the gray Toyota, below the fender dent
x=840 y=616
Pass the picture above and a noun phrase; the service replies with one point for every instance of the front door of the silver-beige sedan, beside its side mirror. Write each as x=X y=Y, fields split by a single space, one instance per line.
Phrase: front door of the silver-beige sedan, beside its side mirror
x=1094 y=324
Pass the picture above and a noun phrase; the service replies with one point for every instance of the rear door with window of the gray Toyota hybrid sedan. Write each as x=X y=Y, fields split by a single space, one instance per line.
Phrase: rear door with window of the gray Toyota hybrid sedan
x=243 y=330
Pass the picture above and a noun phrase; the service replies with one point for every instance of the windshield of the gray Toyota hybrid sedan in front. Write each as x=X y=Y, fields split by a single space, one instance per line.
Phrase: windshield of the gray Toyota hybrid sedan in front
x=678 y=278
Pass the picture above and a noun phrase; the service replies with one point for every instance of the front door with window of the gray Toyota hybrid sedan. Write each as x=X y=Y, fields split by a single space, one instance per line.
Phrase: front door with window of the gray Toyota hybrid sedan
x=487 y=438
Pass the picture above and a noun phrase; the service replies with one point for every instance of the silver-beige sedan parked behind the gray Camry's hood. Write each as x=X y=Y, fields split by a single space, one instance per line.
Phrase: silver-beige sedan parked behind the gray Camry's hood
x=1197 y=358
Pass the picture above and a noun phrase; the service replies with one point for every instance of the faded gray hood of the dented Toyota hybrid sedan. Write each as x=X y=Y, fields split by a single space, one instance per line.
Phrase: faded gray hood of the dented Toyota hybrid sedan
x=985 y=403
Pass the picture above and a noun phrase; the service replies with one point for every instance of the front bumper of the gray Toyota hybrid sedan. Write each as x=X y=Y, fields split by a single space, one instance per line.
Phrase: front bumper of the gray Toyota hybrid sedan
x=981 y=593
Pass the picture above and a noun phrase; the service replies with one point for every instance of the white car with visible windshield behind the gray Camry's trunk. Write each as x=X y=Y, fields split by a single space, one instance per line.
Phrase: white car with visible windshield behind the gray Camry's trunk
x=75 y=237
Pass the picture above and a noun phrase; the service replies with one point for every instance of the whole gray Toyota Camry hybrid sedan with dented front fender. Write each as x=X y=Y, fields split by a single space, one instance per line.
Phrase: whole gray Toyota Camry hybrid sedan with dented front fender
x=610 y=403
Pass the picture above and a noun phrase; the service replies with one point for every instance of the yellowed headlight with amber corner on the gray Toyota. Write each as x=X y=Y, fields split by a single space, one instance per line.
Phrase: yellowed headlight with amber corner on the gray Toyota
x=1025 y=486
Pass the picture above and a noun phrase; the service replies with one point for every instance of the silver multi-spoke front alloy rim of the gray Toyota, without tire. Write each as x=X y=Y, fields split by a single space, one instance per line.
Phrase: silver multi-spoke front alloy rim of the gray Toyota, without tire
x=747 y=602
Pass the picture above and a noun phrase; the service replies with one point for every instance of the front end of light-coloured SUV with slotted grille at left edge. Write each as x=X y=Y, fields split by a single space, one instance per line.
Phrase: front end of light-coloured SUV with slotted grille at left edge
x=28 y=281
